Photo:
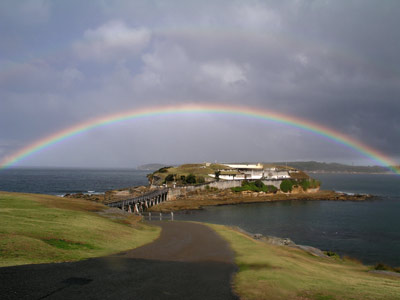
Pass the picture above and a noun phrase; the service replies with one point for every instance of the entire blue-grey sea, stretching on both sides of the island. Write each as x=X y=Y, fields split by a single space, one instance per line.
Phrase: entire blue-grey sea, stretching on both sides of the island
x=369 y=230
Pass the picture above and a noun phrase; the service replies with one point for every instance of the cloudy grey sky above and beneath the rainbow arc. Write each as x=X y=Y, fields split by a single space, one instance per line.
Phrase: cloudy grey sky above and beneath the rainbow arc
x=335 y=63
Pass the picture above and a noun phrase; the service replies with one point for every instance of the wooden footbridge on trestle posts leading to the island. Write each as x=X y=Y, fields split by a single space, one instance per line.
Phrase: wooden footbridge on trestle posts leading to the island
x=141 y=203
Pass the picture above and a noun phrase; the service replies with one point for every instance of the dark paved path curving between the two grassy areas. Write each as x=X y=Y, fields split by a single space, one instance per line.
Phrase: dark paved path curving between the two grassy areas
x=188 y=261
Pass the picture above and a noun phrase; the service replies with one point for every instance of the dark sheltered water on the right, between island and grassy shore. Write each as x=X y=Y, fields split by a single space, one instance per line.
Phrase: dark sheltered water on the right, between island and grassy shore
x=366 y=230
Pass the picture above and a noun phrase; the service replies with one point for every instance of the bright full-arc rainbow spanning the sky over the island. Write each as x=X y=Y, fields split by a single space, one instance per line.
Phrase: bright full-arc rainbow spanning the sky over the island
x=208 y=109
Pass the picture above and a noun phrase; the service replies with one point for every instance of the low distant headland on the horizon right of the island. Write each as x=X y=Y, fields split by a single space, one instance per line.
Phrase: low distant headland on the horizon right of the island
x=314 y=166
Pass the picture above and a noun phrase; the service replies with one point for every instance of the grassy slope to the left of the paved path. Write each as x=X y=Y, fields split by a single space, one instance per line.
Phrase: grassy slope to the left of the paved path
x=42 y=228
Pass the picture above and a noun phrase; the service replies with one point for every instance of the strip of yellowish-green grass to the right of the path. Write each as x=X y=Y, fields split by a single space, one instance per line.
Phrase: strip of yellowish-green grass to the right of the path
x=279 y=272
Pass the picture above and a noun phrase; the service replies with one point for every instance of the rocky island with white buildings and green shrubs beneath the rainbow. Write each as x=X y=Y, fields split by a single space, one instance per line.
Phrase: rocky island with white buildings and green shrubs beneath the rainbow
x=193 y=186
